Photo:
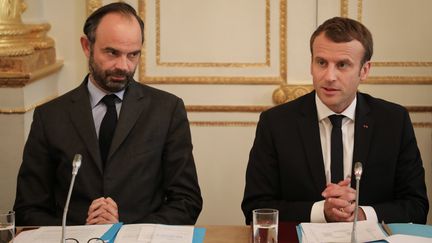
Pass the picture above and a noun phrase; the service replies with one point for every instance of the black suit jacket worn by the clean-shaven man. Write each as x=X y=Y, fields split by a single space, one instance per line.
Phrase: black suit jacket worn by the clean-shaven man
x=286 y=168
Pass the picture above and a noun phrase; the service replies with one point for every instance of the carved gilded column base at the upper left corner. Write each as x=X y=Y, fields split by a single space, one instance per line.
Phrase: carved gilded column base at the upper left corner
x=25 y=49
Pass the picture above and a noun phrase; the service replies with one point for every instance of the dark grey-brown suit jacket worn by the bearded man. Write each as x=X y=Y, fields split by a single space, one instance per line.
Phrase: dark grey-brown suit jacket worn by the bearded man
x=150 y=170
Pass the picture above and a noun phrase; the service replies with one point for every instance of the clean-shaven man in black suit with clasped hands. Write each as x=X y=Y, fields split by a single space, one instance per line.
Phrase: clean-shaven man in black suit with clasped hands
x=290 y=164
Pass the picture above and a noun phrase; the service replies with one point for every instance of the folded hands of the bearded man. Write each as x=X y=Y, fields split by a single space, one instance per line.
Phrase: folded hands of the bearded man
x=102 y=211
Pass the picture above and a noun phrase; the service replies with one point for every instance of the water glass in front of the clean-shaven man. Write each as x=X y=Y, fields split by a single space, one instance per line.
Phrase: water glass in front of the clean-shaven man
x=265 y=225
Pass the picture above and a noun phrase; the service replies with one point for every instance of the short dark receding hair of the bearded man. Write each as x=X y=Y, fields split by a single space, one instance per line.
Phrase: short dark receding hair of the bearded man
x=93 y=20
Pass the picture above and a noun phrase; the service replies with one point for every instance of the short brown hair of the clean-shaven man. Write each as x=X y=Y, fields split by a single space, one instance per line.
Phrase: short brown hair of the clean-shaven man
x=340 y=29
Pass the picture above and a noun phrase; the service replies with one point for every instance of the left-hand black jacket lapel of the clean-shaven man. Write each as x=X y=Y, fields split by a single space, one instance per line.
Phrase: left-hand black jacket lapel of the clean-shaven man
x=309 y=130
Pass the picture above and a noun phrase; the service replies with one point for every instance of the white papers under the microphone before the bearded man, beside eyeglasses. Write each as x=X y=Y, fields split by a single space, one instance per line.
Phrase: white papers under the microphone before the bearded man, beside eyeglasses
x=52 y=234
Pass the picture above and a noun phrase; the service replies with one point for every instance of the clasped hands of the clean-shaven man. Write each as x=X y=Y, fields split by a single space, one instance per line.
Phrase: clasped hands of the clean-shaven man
x=339 y=202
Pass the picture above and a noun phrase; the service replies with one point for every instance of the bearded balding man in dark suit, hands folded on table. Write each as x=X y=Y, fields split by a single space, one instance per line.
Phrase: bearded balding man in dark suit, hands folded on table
x=146 y=173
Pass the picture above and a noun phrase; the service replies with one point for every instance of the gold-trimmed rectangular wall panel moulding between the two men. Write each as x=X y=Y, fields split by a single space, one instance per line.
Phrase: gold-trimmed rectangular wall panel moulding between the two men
x=215 y=79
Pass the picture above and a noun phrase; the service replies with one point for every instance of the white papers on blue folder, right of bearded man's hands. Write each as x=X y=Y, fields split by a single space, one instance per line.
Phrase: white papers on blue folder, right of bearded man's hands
x=155 y=233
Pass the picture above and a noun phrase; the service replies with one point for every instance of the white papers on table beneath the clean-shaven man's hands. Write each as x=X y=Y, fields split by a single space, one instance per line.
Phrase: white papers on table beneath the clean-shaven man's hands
x=340 y=232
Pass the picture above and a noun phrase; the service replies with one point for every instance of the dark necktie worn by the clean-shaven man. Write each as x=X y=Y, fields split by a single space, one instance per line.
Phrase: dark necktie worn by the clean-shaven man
x=336 y=149
